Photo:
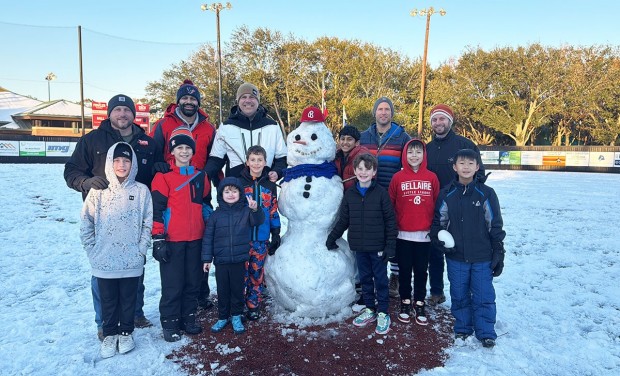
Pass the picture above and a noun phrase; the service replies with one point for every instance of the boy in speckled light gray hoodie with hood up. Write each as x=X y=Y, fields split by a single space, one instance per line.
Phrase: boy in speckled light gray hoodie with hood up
x=115 y=231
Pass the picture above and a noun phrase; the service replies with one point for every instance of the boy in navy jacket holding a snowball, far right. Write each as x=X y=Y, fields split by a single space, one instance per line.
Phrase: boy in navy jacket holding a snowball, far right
x=469 y=210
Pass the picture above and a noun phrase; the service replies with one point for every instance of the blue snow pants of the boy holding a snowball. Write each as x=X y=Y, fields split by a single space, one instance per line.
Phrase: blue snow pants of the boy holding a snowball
x=473 y=298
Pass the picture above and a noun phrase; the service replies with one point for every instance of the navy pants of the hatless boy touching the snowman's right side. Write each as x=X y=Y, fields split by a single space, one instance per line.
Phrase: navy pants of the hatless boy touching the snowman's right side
x=373 y=277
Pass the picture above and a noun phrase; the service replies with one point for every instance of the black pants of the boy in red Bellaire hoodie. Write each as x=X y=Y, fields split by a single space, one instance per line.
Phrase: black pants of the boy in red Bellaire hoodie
x=412 y=256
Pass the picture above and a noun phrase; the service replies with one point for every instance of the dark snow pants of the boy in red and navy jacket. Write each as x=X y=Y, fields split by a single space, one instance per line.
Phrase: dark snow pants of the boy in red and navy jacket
x=180 y=280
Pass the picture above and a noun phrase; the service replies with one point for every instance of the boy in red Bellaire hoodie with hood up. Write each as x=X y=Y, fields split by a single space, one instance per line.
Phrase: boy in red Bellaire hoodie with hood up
x=413 y=191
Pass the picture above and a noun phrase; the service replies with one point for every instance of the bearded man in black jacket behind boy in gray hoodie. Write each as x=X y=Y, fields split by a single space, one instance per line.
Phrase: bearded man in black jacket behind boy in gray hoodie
x=85 y=170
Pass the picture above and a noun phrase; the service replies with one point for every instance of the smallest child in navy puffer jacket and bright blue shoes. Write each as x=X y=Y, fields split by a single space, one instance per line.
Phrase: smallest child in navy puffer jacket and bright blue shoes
x=226 y=243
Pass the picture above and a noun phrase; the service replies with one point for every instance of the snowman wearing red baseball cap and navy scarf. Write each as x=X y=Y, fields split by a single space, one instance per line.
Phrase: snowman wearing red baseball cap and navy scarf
x=304 y=277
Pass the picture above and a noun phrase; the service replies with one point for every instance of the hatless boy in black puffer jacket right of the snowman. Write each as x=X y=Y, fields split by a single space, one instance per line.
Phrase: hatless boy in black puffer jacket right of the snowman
x=367 y=212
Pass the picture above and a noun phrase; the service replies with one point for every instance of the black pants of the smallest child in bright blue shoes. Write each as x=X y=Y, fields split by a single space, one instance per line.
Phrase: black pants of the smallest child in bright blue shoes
x=230 y=287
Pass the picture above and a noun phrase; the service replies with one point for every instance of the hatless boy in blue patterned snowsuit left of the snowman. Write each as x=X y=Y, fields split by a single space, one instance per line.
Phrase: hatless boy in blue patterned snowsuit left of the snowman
x=256 y=185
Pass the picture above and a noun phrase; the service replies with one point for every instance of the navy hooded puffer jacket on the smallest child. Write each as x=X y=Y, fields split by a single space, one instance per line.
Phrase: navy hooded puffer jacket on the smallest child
x=227 y=235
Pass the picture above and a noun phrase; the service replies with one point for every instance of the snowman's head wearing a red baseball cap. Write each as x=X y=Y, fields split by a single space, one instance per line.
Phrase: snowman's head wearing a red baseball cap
x=311 y=142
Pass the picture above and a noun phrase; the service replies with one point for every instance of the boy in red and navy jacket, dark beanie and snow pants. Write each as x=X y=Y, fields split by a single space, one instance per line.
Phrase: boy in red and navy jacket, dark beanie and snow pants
x=180 y=208
